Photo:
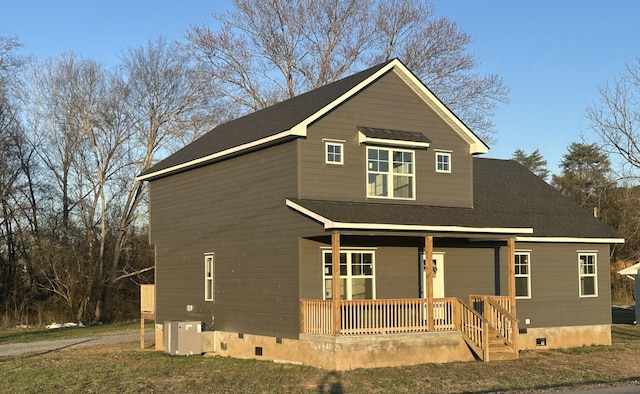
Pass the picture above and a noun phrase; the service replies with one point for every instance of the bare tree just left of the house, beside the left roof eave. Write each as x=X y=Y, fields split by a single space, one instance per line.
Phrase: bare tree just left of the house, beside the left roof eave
x=158 y=102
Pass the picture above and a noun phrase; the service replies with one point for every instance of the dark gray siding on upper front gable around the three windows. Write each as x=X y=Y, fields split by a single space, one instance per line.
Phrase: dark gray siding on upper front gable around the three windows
x=388 y=103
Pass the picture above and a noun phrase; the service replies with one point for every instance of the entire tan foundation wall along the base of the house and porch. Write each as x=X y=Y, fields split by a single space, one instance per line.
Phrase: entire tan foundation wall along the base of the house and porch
x=346 y=353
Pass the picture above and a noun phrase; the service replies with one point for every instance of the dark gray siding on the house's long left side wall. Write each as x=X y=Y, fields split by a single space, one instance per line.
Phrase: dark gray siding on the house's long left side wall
x=236 y=209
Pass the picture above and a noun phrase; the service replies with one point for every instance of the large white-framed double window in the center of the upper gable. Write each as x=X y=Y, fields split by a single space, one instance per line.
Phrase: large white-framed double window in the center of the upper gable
x=390 y=173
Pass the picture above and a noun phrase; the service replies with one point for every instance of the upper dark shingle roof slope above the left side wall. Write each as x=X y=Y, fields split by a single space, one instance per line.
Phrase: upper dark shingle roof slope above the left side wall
x=265 y=122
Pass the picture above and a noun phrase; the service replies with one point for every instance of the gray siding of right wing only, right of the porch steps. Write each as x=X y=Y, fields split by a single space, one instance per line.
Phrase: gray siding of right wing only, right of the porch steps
x=555 y=295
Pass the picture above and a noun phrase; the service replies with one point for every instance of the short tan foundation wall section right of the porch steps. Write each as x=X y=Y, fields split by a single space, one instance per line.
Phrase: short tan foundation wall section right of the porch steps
x=565 y=337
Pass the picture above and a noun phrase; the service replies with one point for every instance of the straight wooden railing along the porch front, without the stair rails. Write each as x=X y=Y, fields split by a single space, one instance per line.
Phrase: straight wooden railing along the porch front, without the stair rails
x=366 y=317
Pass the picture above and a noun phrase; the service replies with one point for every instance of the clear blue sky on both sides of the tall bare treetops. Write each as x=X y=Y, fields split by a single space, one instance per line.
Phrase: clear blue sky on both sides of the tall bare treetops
x=552 y=53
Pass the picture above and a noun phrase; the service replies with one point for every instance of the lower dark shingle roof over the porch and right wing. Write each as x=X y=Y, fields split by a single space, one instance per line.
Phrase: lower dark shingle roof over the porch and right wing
x=506 y=196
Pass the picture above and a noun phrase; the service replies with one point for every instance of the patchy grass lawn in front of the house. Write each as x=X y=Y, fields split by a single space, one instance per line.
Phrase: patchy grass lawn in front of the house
x=124 y=368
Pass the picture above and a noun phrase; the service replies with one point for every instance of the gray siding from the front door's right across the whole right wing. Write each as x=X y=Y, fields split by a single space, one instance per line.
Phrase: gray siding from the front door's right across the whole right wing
x=480 y=268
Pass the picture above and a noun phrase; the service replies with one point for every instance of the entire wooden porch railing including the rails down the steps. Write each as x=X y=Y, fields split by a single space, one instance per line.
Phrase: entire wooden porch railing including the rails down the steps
x=485 y=317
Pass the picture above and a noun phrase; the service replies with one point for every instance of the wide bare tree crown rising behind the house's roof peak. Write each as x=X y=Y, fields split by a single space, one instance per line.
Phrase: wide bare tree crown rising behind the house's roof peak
x=268 y=51
